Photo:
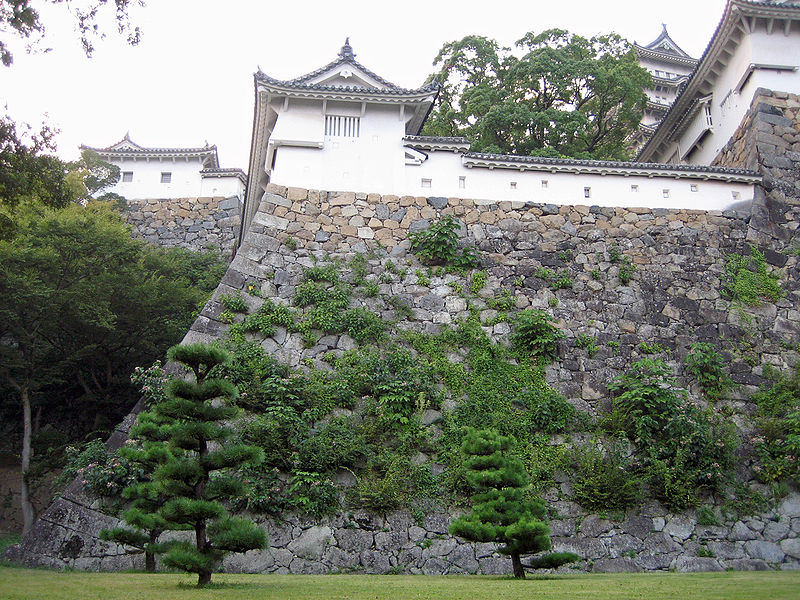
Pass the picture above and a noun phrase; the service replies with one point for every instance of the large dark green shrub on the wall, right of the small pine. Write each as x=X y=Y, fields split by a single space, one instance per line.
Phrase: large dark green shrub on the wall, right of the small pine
x=687 y=451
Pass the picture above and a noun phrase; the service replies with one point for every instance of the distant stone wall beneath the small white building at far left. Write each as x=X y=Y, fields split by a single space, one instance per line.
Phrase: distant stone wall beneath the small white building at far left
x=193 y=223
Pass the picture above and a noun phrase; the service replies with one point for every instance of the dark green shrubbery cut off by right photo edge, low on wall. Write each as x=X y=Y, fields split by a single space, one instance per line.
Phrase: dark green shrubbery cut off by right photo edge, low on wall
x=778 y=445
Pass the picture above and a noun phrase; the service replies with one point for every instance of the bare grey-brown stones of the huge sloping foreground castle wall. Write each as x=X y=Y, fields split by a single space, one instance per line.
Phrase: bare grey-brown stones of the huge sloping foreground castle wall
x=673 y=300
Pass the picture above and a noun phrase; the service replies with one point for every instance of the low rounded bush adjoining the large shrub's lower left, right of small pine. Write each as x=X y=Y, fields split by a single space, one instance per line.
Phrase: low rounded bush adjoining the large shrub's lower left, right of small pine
x=605 y=480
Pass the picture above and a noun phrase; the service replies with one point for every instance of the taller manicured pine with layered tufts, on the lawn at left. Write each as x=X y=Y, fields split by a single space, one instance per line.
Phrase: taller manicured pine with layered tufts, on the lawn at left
x=194 y=477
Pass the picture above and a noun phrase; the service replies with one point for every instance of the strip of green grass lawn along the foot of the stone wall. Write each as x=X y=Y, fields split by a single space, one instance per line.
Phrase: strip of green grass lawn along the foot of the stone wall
x=30 y=584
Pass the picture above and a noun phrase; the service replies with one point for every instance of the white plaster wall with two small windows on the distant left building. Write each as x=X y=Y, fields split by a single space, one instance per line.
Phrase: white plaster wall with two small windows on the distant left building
x=147 y=179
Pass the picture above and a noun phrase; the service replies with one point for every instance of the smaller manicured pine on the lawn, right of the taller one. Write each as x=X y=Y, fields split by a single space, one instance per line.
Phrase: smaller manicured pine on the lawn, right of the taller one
x=502 y=512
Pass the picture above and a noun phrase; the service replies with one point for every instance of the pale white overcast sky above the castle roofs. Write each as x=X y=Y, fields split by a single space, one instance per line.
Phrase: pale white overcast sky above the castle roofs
x=191 y=78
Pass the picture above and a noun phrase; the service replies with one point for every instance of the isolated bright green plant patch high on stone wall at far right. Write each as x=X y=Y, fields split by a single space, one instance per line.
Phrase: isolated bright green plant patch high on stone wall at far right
x=747 y=281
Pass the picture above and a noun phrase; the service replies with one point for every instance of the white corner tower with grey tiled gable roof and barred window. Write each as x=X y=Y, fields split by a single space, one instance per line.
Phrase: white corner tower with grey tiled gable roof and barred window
x=339 y=127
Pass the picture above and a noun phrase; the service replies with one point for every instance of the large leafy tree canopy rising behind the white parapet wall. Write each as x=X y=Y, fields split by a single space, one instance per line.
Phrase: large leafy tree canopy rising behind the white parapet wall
x=566 y=95
